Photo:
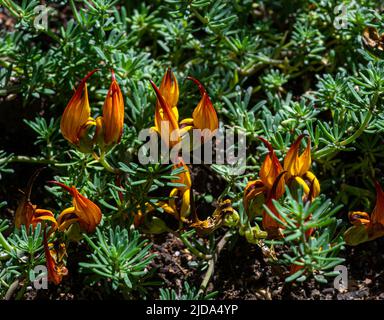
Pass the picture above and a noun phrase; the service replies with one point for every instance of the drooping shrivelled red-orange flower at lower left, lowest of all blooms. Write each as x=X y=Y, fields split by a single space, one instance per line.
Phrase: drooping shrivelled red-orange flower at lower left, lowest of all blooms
x=55 y=260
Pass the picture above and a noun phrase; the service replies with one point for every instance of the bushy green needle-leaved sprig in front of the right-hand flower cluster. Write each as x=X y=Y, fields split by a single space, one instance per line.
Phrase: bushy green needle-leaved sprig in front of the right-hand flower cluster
x=310 y=232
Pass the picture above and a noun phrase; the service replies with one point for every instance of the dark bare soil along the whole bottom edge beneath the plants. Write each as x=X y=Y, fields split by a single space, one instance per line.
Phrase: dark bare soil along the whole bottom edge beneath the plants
x=241 y=273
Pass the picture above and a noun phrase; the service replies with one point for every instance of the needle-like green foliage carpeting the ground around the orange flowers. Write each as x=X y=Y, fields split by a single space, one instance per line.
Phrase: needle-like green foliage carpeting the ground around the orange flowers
x=272 y=69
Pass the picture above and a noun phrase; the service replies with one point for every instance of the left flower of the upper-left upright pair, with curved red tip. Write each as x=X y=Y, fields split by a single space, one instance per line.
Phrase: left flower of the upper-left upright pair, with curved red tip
x=76 y=118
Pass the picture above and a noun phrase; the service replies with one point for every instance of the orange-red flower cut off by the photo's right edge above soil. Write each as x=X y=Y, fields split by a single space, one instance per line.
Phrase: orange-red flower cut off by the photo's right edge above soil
x=367 y=227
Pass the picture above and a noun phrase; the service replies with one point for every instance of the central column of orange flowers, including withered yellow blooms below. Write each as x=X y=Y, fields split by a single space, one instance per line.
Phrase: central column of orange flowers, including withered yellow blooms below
x=172 y=131
